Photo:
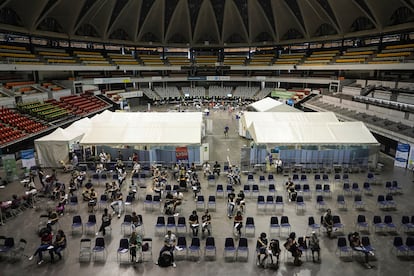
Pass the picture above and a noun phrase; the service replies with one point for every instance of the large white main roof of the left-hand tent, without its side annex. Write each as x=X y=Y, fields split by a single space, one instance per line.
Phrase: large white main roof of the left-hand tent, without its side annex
x=144 y=128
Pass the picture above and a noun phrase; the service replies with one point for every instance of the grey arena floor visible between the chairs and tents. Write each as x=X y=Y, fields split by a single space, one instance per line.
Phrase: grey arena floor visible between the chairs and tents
x=385 y=261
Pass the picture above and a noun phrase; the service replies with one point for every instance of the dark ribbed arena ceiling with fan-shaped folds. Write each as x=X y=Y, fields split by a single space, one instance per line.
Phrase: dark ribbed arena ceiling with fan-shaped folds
x=200 y=23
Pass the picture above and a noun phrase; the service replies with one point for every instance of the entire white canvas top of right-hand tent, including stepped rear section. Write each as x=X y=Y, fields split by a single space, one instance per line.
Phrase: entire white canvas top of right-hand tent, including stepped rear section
x=307 y=128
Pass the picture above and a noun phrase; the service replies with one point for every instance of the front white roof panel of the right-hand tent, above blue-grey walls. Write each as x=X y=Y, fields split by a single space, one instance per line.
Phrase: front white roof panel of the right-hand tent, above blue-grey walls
x=297 y=132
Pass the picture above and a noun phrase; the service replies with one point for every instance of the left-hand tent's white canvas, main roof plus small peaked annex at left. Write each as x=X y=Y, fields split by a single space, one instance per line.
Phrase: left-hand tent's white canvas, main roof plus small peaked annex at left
x=121 y=128
